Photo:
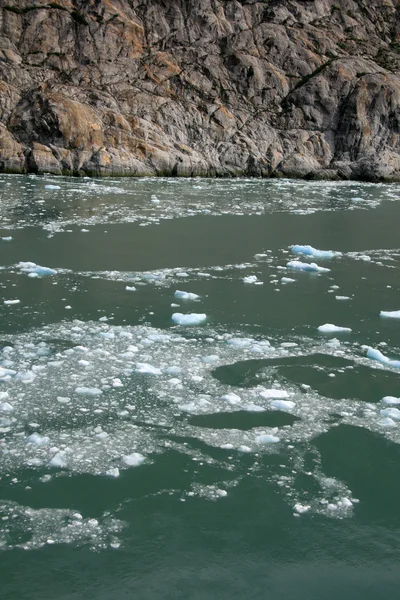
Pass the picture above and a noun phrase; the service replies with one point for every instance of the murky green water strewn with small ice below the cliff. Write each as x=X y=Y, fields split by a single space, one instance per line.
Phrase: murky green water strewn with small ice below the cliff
x=157 y=481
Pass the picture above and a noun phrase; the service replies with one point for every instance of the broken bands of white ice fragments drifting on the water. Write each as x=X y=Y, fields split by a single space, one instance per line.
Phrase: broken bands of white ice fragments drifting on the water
x=107 y=401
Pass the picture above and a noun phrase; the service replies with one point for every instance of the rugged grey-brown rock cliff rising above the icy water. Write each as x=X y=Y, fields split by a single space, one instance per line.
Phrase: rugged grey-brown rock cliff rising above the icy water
x=305 y=88
